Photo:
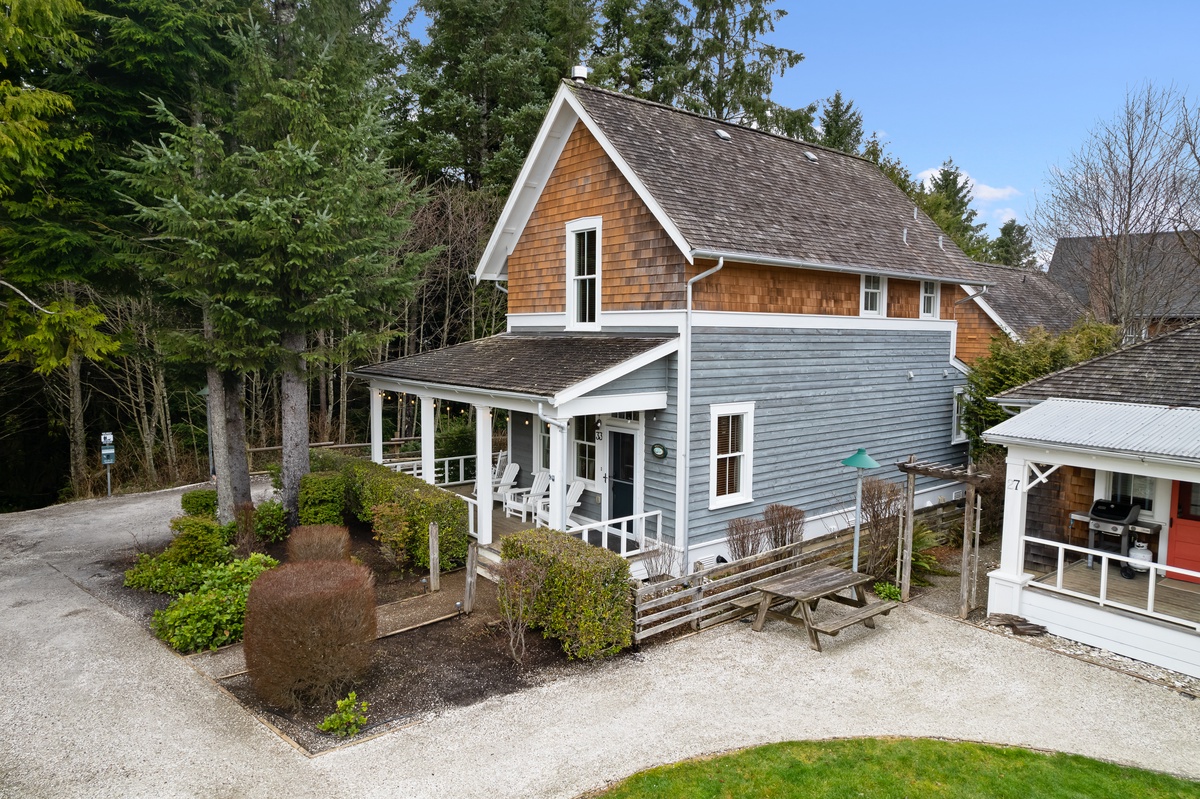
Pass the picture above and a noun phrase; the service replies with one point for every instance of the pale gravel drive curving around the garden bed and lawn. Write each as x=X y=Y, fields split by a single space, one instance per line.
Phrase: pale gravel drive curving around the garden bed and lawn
x=91 y=706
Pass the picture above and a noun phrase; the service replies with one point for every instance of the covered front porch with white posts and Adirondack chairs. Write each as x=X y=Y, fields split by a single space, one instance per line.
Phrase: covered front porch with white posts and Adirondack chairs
x=578 y=408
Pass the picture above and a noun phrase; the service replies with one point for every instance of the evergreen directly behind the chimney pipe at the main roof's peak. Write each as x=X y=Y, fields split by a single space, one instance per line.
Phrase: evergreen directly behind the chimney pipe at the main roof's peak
x=637 y=51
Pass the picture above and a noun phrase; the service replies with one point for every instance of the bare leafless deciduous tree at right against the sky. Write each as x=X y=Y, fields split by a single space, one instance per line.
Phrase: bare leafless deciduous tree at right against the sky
x=1129 y=196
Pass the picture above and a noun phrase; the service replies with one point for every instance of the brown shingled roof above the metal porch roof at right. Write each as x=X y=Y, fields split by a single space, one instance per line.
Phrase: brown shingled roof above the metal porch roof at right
x=1162 y=371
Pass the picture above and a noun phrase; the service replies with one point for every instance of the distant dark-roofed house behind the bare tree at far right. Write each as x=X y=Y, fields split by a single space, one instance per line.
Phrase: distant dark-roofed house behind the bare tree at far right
x=1151 y=278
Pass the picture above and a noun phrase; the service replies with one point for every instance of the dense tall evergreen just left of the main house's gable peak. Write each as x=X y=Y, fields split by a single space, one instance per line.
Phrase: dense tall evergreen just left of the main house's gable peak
x=476 y=87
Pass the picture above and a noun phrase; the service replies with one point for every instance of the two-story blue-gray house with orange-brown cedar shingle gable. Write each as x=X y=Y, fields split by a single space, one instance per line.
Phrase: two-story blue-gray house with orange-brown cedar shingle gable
x=704 y=320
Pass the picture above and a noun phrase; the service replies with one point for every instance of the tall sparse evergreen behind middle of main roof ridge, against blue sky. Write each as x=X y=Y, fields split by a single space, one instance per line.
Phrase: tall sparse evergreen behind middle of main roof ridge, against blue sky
x=730 y=69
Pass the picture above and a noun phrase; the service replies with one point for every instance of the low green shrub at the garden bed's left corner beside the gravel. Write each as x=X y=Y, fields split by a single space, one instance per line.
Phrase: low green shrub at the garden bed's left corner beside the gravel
x=197 y=546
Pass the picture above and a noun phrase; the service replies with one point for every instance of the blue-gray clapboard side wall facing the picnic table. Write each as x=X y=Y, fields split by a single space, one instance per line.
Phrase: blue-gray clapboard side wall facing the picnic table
x=819 y=397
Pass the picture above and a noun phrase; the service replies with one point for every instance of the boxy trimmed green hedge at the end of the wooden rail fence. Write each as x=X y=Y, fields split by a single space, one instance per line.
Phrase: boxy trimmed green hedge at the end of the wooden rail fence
x=585 y=600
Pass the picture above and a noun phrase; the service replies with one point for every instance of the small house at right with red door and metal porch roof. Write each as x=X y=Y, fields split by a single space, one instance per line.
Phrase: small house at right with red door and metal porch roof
x=1123 y=428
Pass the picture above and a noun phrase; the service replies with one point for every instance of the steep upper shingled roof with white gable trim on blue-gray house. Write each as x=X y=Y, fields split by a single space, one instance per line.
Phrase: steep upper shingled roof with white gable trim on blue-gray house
x=747 y=196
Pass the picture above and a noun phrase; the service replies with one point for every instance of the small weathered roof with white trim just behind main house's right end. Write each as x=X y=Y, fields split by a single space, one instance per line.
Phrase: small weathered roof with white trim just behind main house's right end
x=1023 y=299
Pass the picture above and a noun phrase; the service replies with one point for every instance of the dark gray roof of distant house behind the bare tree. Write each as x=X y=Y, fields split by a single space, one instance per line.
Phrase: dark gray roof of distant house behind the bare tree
x=1165 y=265
